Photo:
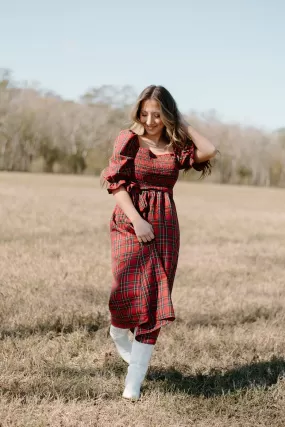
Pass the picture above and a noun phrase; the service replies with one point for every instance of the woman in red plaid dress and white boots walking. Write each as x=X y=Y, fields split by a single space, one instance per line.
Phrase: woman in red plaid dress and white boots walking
x=142 y=172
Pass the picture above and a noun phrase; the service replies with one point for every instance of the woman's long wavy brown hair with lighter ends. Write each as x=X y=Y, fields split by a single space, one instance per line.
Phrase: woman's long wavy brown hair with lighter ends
x=174 y=131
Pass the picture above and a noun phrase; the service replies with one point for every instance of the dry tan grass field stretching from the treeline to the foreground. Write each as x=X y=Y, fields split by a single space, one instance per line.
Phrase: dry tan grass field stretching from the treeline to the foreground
x=221 y=363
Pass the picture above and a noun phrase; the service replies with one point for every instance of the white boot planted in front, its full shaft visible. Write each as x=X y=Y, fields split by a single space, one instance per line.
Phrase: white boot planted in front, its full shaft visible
x=140 y=357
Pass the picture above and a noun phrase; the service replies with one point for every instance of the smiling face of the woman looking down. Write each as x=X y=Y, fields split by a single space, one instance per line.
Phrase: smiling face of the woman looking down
x=150 y=117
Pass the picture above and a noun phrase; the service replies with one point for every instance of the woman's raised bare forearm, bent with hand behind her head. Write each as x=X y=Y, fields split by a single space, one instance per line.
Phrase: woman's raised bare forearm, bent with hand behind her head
x=205 y=150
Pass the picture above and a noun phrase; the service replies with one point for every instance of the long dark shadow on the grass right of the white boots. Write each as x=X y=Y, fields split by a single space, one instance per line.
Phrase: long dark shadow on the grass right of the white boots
x=216 y=383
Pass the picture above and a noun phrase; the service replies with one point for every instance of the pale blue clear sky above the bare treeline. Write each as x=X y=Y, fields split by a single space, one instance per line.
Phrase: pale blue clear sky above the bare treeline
x=222 y=55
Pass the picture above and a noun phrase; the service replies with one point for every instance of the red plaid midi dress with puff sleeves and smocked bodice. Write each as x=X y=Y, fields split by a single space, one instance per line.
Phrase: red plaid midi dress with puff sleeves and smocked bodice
x=144 y=272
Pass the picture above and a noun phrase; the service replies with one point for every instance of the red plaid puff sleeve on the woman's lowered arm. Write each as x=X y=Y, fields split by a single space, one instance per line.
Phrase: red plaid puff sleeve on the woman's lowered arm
x=120 y=170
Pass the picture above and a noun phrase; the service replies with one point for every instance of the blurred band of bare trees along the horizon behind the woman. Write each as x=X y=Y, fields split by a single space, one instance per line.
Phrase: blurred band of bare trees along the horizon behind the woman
x=42 y=132
